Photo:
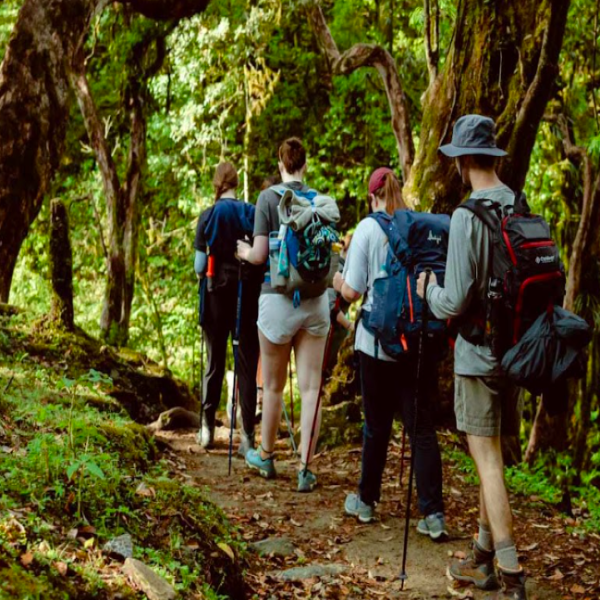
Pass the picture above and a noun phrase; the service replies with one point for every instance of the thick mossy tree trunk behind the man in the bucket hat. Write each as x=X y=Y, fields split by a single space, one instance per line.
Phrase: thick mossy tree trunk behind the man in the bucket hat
x=501 y=63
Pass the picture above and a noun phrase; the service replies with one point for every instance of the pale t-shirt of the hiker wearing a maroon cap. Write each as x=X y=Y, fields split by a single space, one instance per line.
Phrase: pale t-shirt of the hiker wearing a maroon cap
x=365 y=263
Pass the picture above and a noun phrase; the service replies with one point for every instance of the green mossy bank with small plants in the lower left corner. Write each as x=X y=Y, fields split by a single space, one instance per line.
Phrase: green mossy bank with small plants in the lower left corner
x=76 y=471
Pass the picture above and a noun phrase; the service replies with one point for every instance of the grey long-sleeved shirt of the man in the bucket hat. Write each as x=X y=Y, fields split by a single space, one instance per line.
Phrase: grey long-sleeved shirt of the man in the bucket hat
x=466 y=280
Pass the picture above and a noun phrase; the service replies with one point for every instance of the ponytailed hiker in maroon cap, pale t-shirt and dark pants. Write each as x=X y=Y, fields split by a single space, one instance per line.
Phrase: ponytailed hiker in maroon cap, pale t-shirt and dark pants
x=389 y=384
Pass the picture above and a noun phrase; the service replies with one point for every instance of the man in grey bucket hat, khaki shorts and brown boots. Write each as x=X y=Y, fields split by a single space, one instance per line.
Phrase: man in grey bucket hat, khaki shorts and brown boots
x=487 y=405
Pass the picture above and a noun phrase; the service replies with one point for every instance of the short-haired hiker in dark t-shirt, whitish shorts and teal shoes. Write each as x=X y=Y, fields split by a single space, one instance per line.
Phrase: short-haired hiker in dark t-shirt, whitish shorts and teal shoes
x=288 y=320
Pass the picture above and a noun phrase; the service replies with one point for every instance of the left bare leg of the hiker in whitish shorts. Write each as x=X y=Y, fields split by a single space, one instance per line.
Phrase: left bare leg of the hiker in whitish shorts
x=274 y=371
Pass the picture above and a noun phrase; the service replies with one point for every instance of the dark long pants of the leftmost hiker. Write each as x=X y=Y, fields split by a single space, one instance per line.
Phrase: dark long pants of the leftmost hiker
x=219 y=319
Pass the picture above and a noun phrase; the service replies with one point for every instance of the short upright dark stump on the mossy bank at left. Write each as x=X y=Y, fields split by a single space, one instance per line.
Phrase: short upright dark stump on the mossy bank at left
x=61 y=266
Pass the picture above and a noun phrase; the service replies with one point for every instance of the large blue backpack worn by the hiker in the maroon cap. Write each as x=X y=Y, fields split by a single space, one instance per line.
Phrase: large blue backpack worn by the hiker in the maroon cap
x=416 y=241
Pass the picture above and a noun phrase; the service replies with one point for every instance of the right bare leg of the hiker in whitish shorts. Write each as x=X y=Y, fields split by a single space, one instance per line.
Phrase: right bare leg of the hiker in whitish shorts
x=309 y=352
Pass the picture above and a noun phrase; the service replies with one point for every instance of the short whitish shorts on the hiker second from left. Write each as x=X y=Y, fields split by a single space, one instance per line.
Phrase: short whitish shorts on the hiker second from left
x=279 y=321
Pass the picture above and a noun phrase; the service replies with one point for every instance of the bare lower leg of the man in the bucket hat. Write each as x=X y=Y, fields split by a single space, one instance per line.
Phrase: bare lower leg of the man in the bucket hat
x=494 y=504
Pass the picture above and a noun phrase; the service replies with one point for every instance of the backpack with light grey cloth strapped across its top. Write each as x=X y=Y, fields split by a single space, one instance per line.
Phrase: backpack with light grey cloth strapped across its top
x=300 y=253
